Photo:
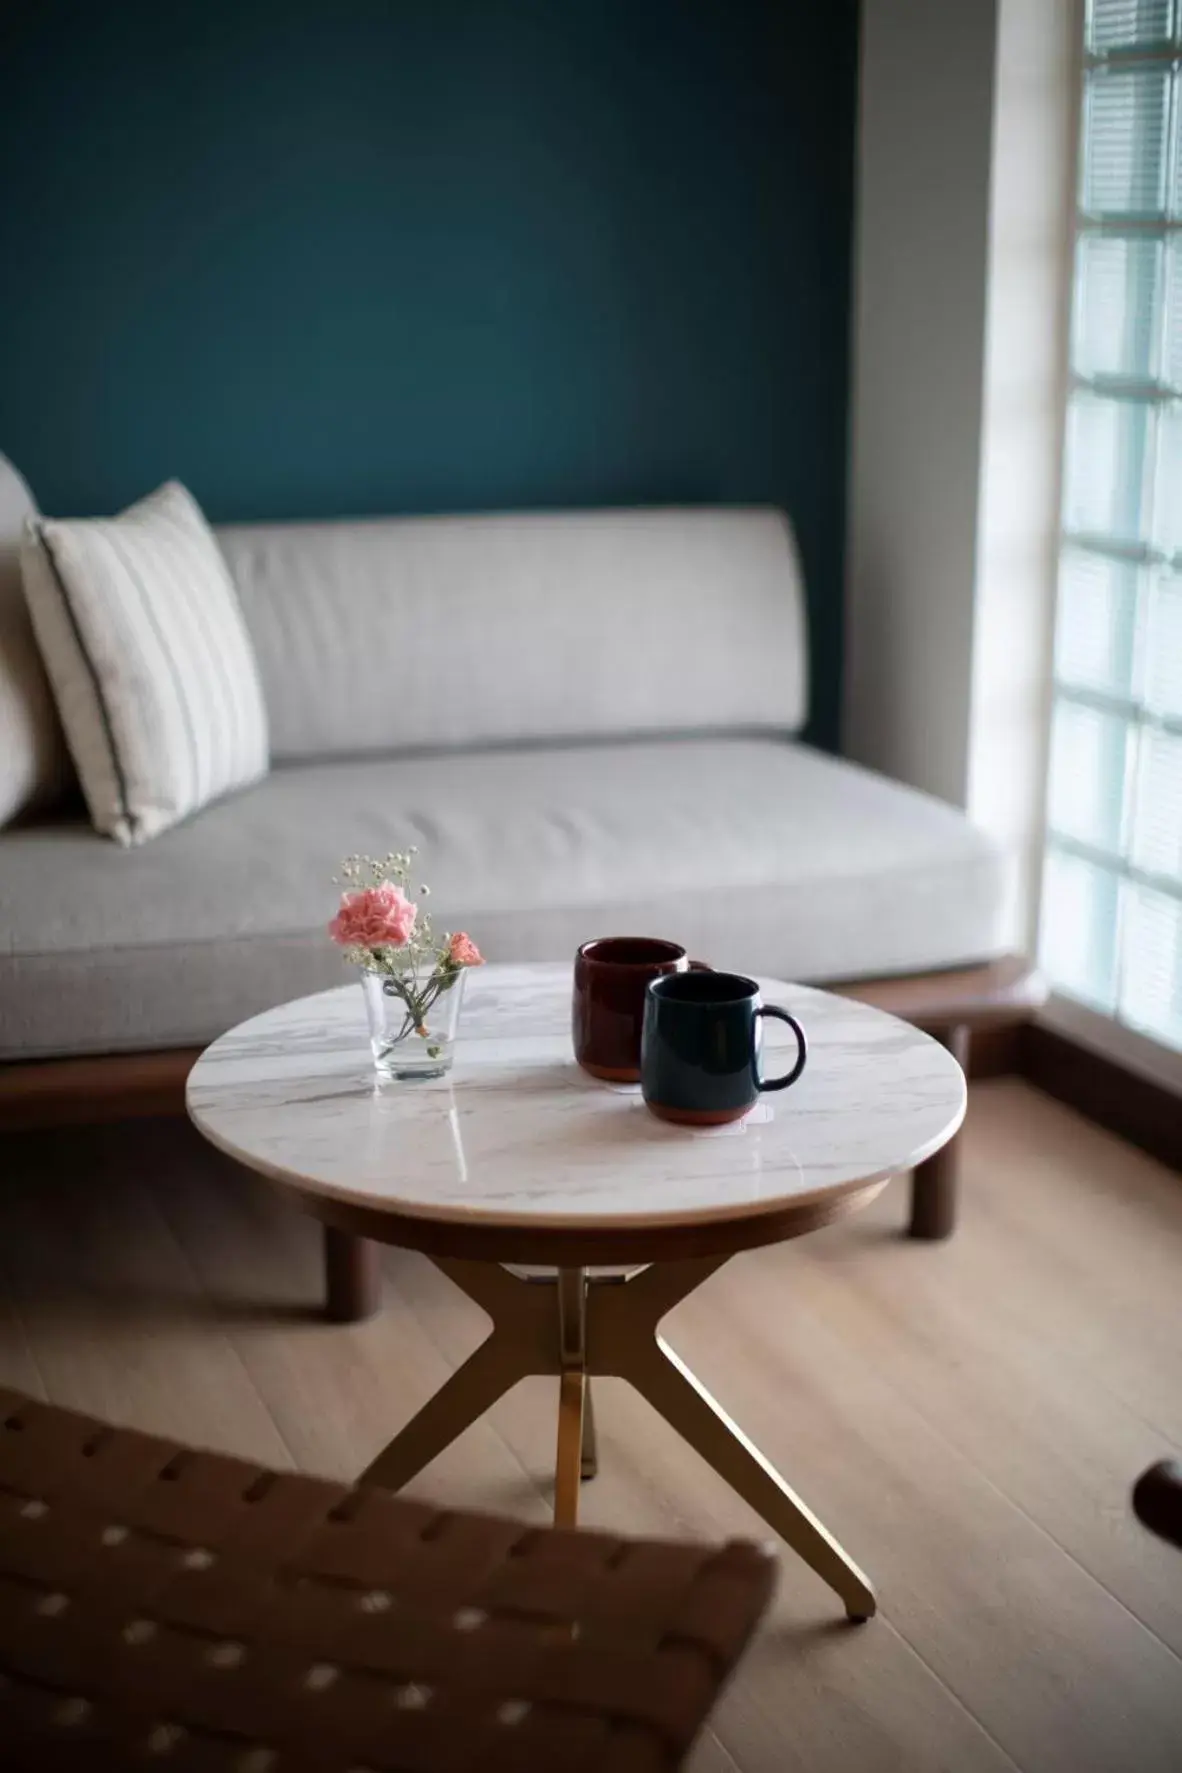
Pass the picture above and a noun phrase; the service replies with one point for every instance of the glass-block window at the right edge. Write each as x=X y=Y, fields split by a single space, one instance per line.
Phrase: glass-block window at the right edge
x=1112 y=893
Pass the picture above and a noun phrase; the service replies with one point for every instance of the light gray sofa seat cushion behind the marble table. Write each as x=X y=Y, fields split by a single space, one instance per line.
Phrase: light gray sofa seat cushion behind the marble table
x=756 y=854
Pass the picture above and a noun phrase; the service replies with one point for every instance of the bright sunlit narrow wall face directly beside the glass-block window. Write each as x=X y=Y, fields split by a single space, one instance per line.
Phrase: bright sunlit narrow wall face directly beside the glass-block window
x=1027 y=329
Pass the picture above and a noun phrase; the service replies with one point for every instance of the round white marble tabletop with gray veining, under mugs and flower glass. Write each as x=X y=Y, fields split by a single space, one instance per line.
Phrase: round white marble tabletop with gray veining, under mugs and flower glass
x=518 y=1136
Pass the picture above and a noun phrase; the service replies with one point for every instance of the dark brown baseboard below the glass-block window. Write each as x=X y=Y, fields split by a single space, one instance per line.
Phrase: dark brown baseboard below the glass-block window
x=1101 y=1090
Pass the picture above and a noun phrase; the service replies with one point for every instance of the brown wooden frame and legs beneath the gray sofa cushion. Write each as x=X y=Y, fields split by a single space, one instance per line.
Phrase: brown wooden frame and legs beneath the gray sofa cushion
x=954 y=1006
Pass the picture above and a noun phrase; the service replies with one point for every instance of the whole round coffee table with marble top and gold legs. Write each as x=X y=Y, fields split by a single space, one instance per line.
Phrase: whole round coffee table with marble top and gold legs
x=520 y=1159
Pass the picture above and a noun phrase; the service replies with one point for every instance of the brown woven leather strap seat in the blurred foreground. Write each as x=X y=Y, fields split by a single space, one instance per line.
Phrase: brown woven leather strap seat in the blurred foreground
x=176 y=1609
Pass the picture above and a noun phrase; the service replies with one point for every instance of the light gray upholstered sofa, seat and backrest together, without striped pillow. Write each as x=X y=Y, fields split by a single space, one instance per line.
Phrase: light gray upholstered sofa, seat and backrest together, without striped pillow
x=587 y=724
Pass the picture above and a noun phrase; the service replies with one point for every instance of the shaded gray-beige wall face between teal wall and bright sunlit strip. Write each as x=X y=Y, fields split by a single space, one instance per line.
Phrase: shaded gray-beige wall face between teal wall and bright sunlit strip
x=926 y=125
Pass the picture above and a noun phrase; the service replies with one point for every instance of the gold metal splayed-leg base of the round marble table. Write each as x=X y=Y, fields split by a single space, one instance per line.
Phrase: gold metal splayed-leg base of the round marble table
x=577 y=1324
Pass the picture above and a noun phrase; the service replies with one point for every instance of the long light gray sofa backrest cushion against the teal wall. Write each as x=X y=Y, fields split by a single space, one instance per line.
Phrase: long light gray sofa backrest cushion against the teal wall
x=433 y=632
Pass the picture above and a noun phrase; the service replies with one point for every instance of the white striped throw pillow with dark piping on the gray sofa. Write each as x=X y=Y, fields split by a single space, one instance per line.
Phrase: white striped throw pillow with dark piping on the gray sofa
x=150 y=659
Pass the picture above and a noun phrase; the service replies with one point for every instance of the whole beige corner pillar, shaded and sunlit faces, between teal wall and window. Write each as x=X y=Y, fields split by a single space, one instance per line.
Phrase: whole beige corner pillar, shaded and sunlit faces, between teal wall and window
x=967 y=130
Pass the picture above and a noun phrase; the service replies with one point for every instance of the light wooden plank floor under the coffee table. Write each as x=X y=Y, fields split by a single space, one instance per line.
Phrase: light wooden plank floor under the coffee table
x=967 y=1418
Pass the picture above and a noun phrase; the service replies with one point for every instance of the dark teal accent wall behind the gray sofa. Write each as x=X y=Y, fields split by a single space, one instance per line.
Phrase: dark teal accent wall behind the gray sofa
x=444 y=256
